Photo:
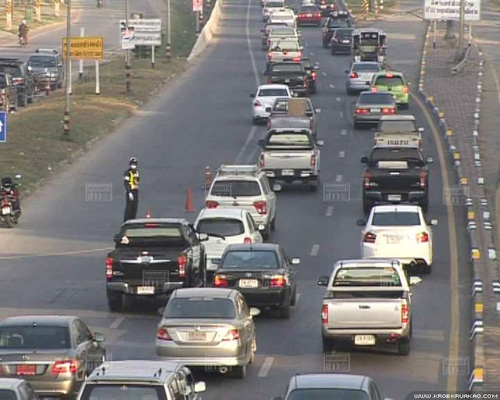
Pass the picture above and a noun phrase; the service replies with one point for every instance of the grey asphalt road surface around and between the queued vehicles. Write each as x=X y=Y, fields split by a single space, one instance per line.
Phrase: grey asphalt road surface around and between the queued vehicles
x=54 y=261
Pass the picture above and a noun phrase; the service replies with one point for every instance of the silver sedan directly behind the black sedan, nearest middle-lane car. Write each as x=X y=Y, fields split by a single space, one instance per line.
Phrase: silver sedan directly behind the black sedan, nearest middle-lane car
x=208 y=327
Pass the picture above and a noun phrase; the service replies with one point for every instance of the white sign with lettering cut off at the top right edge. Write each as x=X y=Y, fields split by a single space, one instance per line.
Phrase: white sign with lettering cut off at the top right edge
x=444 y=10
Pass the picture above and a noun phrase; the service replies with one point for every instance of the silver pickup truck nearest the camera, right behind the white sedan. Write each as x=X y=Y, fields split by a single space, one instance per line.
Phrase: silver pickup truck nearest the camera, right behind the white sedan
x=367 y=302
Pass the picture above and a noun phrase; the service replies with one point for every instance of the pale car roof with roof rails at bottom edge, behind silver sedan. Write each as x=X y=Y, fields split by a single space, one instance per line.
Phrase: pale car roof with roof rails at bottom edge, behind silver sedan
x=135 y=370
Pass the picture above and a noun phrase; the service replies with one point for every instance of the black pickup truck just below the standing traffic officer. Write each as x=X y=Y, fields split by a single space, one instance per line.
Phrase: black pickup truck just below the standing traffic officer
x=153 y=257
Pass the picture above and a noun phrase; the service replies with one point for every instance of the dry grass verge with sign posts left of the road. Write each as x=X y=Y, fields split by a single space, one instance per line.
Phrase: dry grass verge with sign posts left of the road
x=35 y=145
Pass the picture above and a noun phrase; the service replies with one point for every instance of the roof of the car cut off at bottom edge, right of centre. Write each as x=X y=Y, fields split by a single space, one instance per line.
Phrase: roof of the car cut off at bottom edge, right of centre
x=343 y=381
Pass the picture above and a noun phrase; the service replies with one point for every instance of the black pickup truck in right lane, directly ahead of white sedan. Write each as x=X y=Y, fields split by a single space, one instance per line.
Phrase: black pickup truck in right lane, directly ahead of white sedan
x=394 y=175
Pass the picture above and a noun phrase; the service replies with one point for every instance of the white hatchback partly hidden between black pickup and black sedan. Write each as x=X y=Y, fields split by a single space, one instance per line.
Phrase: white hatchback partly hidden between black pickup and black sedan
x=226 y=226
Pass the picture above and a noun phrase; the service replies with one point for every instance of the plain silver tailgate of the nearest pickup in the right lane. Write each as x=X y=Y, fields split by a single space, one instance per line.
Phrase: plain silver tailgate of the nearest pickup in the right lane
x=369 y=313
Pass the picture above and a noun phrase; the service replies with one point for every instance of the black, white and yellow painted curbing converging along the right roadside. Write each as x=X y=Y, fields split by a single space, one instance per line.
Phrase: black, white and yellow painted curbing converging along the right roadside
x=479 y=228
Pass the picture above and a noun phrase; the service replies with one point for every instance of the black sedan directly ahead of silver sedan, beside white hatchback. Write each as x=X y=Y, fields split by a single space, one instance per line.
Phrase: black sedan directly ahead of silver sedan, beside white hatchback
x=262 y=272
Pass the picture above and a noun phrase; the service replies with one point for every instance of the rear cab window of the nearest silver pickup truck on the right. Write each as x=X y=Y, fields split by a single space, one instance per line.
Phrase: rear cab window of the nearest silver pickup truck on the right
x=369 y=276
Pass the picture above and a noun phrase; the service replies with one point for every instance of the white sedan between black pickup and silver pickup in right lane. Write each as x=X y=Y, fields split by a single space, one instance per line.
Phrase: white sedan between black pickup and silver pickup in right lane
x=398 y=232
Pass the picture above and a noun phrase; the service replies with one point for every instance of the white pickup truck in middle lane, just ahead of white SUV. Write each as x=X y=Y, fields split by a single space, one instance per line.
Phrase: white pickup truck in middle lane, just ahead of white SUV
x=290 y=155
